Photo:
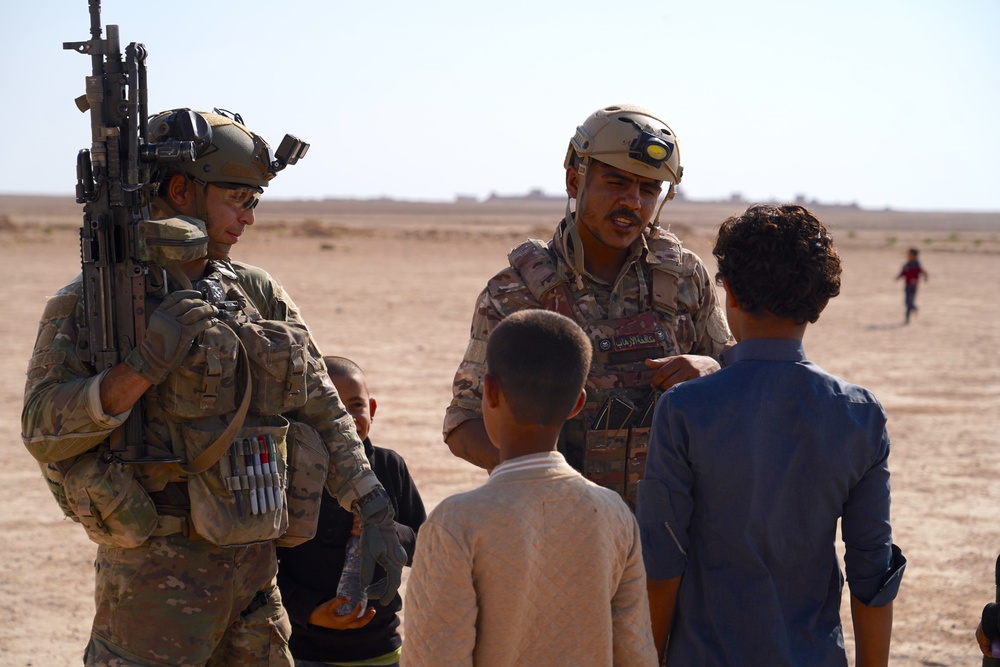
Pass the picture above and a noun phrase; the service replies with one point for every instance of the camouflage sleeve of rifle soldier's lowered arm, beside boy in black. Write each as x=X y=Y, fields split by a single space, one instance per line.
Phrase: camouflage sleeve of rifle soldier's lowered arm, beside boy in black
x=350 y=476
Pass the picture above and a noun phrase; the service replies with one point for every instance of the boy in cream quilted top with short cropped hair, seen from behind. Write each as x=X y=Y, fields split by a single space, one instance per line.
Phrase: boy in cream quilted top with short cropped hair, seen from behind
x=538 y=566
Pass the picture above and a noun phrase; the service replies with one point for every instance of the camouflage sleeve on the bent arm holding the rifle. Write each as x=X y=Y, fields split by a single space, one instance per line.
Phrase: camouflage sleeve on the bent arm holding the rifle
x=62 y=414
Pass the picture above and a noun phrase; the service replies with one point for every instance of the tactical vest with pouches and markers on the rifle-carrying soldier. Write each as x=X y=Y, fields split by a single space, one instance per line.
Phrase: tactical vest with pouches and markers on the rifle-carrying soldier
x=220 y=412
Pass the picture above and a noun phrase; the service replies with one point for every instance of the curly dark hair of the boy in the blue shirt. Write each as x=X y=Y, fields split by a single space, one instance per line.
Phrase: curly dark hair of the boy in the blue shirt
x=778 y=260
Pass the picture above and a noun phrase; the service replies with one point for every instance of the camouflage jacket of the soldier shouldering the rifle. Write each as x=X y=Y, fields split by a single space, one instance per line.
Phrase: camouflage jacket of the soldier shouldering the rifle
x=63 y=418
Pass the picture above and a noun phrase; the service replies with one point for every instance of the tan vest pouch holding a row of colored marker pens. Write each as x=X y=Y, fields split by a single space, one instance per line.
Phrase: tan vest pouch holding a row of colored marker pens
x=240 y=499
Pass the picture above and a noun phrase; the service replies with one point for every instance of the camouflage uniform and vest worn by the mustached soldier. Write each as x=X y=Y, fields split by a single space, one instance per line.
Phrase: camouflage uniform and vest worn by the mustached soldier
x=662 y=304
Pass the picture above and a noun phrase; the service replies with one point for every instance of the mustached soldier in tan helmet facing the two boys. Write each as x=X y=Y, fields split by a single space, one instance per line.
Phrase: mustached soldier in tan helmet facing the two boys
x=648 y=305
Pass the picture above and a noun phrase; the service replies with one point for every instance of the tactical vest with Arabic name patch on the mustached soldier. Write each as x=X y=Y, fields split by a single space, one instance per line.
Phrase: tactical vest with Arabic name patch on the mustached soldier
x=609 y=439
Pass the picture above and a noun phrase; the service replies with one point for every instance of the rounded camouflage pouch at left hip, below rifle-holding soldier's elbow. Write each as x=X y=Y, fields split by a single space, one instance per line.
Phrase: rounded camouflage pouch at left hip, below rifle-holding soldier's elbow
x=106 y=498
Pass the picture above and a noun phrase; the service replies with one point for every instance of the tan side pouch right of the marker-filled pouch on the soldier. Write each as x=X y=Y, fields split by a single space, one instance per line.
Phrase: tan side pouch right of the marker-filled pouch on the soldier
x=308 y=464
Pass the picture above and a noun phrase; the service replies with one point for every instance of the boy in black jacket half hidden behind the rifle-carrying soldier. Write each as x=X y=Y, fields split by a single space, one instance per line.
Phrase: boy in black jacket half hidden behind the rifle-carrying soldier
x=309 y=573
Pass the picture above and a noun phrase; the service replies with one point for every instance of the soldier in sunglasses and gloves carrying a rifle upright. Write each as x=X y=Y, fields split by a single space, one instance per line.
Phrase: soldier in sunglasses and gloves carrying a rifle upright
x=192 y=580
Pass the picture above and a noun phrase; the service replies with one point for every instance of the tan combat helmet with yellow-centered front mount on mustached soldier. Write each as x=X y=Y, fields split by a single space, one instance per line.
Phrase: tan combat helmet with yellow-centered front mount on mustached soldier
x=631 y=138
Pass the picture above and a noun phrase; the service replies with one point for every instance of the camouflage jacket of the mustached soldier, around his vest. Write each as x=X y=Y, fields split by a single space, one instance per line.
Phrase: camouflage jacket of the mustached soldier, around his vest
x=697 y=324
